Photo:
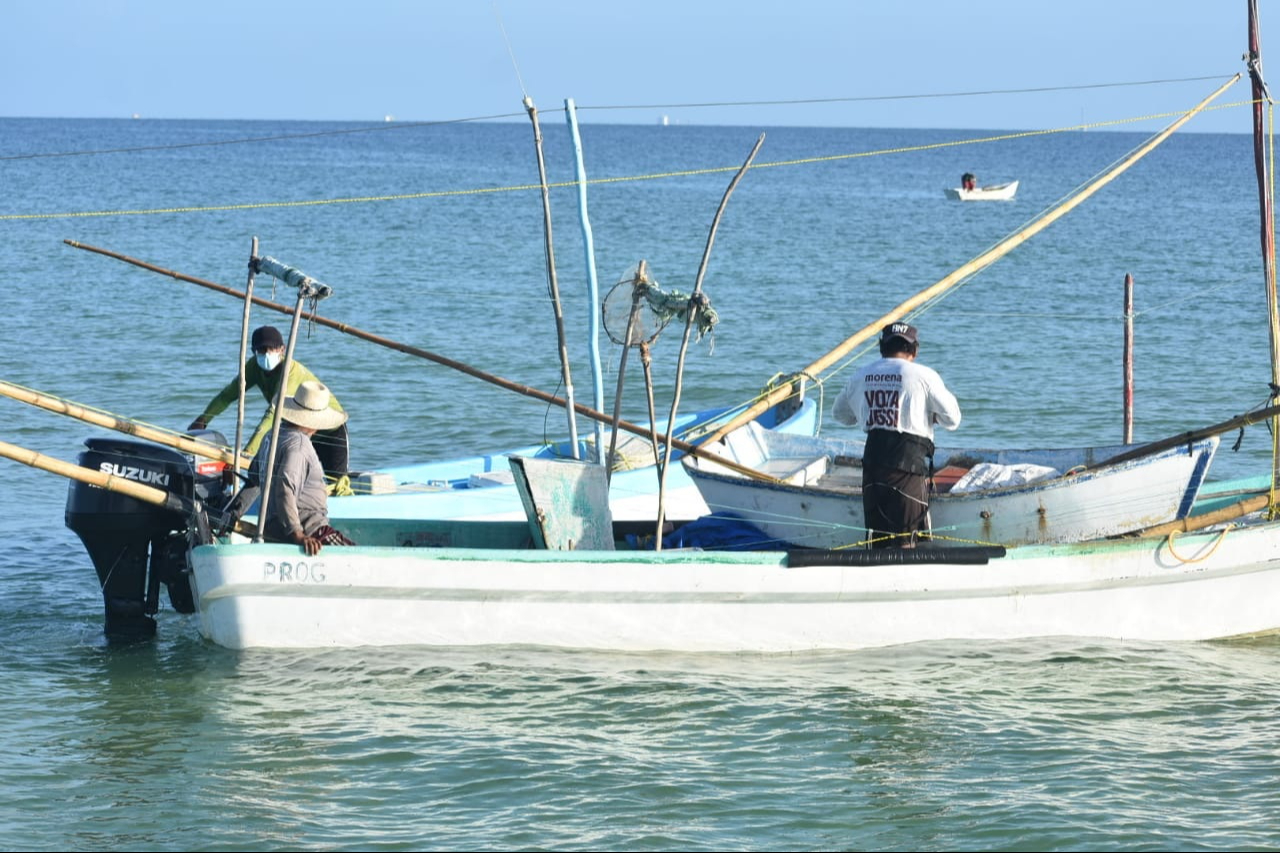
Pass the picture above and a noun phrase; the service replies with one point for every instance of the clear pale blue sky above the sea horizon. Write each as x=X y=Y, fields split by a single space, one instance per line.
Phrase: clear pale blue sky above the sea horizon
x=450 y=60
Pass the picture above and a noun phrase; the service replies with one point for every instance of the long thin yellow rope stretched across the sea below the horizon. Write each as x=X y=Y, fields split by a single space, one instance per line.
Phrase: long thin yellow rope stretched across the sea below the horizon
x=412 y=197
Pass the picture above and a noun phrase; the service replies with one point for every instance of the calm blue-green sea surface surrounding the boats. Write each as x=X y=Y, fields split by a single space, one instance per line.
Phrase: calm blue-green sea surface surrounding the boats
x=179 y=745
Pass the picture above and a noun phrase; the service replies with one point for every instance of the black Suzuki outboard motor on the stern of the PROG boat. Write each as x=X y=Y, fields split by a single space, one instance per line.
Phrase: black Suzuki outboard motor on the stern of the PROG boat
x=138 y=546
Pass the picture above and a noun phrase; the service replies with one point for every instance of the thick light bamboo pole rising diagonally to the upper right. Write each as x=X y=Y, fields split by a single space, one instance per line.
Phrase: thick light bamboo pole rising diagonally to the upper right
x=968 y=270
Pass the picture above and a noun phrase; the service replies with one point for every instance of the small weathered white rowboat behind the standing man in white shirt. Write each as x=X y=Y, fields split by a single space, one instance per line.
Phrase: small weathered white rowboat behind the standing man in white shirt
x=1008 y=498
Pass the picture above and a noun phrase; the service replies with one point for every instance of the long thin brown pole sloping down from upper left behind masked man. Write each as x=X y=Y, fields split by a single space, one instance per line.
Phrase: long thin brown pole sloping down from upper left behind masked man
x=438 y=359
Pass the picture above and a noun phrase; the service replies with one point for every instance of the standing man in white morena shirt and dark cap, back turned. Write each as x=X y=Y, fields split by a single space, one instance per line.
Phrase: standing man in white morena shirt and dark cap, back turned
x=898 y=404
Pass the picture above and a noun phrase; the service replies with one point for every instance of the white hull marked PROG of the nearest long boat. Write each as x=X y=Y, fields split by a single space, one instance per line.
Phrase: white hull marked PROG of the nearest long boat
x=1204 y=587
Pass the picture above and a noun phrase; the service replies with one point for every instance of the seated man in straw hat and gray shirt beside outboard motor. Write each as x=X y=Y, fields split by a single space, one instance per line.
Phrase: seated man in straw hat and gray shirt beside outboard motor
x=298 y=509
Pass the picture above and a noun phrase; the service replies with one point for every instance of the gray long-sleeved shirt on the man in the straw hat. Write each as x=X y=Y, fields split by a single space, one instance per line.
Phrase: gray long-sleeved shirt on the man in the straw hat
x=299 y=500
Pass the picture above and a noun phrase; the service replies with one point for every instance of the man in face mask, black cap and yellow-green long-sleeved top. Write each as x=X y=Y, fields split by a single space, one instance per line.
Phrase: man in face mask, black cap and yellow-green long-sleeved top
x=264 y=371
